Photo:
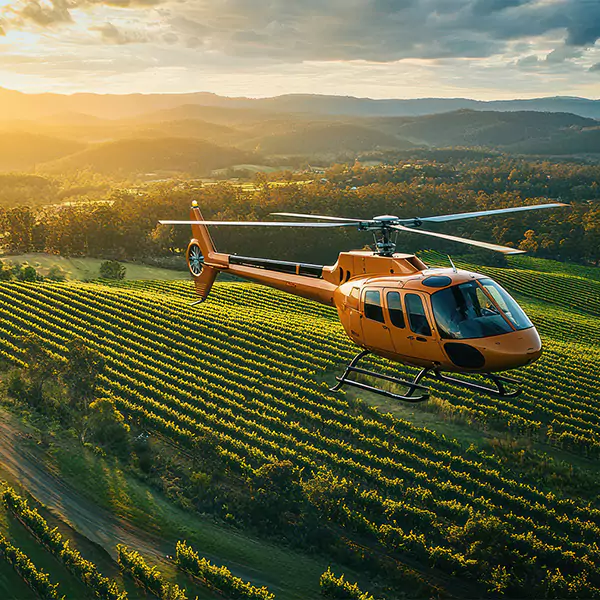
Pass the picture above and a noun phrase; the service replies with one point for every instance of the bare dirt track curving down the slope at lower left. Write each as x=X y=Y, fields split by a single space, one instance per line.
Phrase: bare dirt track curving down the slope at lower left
x=19 y=463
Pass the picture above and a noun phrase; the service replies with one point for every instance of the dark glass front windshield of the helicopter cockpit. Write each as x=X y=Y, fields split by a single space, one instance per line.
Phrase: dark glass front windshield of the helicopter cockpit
x=476 y=309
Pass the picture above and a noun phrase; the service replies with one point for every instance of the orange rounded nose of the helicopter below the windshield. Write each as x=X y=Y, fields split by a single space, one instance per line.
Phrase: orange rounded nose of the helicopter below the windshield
x=512 y=350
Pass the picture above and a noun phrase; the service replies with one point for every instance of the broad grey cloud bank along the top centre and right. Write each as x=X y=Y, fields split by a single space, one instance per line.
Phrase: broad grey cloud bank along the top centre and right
x=381 y=30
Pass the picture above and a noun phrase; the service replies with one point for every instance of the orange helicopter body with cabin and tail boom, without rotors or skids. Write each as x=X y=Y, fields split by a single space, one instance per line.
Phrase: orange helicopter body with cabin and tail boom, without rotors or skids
x=388 y=305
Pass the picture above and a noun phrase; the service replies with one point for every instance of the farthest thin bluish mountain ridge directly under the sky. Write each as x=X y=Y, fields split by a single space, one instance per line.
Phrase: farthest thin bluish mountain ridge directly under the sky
x=16 y=105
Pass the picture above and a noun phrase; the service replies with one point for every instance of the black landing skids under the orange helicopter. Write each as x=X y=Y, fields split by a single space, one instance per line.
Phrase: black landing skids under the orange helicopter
x=499 y=390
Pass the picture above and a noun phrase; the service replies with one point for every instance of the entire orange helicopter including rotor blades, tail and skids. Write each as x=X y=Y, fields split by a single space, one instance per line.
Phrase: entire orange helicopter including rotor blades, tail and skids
x=445 y=321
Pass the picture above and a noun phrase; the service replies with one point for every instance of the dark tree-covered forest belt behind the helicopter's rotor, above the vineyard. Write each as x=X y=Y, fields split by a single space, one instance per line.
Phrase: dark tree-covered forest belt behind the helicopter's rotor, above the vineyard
x=94 y=216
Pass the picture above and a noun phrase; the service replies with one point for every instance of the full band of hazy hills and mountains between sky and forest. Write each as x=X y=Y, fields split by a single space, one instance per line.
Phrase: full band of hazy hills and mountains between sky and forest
x=170 y=134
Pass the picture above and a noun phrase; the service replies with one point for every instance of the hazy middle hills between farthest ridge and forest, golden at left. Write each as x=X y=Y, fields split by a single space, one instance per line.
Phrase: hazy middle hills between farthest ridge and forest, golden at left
x=195 y=140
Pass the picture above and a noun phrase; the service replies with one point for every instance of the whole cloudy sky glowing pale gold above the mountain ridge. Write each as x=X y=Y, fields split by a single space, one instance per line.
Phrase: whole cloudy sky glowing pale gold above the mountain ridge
x=482 y=49
